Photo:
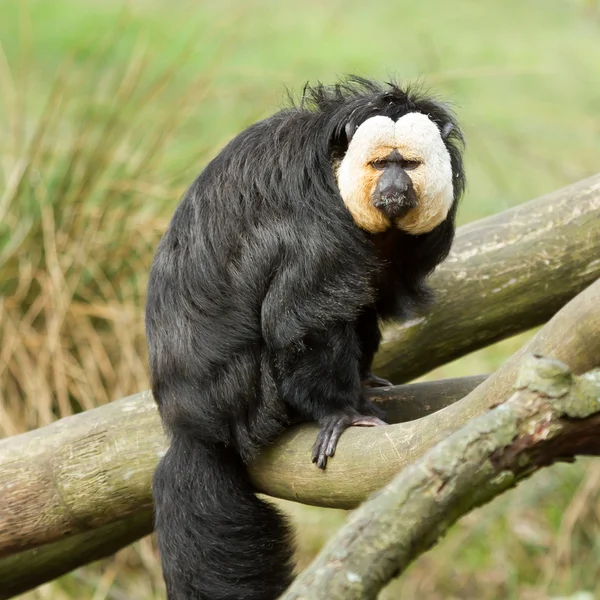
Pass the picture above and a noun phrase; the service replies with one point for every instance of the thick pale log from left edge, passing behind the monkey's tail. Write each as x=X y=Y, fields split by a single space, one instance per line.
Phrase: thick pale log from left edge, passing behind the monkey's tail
x=95 y=468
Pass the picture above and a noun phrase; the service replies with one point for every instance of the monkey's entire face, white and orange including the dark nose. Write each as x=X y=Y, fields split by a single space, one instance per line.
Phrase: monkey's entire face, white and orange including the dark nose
x=397 y=173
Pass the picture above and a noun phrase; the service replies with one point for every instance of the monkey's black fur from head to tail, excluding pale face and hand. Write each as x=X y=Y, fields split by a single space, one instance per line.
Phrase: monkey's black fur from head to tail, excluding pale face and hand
x=262 y=308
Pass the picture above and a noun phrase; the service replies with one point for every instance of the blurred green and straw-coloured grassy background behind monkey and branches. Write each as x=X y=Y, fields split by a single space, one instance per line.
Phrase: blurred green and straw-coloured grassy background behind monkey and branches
x=109 y=109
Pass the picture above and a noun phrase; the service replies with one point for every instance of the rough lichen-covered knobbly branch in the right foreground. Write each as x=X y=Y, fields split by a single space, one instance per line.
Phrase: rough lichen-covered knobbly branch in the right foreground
x=554 y=416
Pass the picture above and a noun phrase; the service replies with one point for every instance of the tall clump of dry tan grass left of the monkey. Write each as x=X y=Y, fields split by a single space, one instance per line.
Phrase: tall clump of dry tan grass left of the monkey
x=82 y=210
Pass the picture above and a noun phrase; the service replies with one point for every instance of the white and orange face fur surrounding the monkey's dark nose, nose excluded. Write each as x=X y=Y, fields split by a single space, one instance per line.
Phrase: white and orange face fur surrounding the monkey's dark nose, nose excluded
x=417 y=138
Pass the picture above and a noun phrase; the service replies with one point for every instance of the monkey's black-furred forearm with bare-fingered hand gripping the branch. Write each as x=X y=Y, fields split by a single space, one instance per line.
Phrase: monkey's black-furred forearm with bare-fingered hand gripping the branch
x=316 y=351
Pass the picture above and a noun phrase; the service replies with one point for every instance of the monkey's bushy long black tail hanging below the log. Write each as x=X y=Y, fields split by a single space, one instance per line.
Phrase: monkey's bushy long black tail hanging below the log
x=217 y=540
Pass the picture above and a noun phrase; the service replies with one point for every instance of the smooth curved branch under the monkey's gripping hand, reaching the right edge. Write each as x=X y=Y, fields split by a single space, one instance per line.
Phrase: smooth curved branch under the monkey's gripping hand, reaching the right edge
x=367 y=458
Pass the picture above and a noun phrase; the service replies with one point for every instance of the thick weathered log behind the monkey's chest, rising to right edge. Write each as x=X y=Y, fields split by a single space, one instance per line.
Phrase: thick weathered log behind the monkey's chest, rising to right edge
x=506 y=274
